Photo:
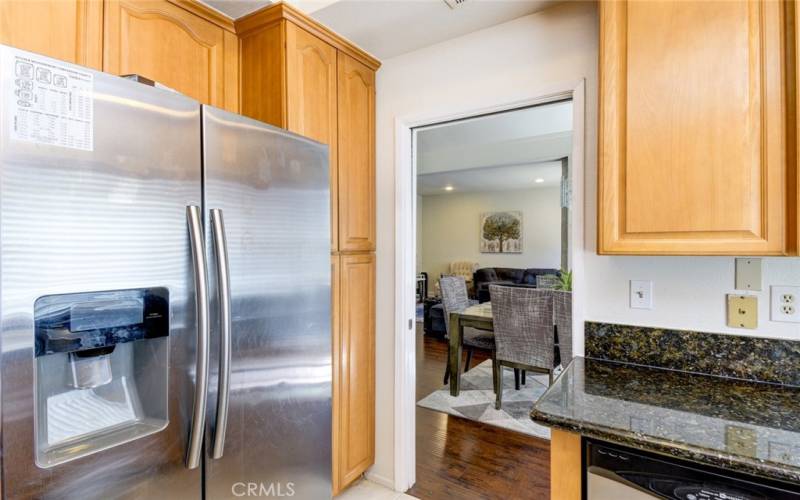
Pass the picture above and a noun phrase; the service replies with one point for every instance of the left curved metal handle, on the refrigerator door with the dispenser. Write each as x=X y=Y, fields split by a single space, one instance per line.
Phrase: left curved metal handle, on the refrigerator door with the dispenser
x=197 y=243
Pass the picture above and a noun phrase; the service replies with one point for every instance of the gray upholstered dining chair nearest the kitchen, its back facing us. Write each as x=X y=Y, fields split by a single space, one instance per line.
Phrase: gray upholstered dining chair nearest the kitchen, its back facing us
x=526 y=321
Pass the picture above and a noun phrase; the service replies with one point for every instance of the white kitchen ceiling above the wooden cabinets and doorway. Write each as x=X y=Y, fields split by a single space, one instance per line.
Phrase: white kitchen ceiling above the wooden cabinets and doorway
x=387 y=28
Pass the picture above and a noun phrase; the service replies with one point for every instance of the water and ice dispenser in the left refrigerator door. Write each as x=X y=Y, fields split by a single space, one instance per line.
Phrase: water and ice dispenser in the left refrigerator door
x=101 y=370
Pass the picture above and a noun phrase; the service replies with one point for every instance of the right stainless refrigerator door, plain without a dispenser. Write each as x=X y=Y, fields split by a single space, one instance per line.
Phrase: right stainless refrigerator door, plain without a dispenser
x=272 y=188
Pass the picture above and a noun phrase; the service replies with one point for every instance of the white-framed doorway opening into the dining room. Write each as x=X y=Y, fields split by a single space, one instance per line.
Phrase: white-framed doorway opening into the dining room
x=487 y=201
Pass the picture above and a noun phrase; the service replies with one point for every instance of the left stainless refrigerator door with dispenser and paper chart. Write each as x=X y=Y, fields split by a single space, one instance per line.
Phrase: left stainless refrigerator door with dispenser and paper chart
x=95 y=176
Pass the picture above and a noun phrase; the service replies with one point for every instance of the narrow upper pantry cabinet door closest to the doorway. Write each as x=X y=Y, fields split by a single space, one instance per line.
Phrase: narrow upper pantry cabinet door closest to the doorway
x=356 y=155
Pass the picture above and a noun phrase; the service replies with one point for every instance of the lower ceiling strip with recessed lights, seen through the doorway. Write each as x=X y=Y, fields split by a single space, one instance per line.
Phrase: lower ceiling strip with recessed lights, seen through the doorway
x=491 y=179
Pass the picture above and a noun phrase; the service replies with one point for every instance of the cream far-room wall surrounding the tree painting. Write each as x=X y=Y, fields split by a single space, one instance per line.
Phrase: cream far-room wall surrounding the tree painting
x=451 y=232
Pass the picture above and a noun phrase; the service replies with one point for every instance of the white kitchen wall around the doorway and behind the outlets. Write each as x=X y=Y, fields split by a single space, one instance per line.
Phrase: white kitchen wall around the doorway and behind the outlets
x=502 y=64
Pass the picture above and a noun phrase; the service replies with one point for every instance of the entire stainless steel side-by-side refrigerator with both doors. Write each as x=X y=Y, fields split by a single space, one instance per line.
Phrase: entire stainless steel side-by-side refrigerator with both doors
x=164 y=294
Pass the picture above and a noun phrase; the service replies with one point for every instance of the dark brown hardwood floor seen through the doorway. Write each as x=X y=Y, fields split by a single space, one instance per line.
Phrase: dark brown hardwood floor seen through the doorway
x=460 y=458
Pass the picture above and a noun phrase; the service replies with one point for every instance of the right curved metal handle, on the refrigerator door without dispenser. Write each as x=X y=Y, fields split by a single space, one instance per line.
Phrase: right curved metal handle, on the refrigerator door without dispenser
x=224 y=291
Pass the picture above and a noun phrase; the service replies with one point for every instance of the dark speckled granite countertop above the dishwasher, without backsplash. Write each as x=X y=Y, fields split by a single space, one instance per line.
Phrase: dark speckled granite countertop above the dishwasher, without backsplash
x=746 y=426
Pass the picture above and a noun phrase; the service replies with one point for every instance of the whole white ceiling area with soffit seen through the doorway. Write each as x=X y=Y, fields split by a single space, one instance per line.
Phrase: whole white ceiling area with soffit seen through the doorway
x=502 y=151
